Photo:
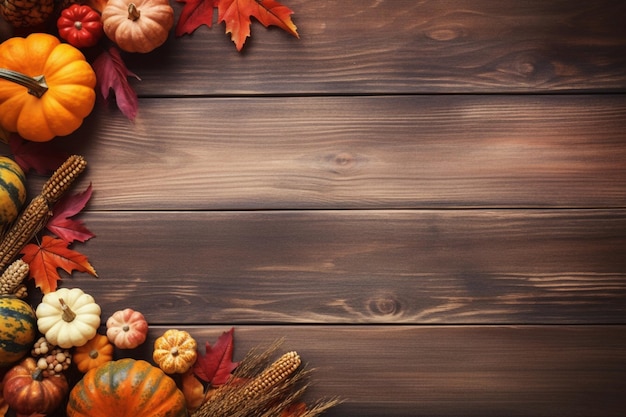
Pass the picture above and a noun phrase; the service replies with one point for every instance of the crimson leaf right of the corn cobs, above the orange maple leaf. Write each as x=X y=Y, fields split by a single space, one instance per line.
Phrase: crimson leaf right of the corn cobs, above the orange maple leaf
x=60 y=223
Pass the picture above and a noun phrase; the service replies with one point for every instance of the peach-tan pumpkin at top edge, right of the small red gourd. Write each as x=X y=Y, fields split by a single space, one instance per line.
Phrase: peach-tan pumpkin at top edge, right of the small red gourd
x=138 y=25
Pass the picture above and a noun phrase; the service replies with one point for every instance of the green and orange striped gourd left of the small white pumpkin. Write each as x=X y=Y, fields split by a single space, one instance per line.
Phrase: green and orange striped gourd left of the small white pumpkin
x=18 y=329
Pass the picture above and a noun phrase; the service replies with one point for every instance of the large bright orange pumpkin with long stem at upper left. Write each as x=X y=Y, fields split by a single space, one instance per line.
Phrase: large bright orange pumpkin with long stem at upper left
x=46 y=87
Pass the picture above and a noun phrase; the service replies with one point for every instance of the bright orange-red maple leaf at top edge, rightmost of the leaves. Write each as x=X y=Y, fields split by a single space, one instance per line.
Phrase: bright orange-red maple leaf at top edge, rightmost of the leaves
x=237 y=13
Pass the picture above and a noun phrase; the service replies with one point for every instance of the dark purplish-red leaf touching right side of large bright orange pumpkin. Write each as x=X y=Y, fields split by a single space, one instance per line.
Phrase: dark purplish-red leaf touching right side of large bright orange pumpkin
x=112 y=74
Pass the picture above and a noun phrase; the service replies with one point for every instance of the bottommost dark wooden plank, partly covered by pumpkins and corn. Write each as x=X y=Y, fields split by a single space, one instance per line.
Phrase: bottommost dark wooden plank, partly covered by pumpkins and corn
x=451 y=371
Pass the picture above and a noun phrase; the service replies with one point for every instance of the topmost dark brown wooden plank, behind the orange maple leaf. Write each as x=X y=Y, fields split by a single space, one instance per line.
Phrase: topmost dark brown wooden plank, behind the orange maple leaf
x=402 y=46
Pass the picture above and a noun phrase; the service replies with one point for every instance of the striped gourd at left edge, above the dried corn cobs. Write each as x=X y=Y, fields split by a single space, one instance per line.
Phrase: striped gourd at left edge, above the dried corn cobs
x=12 y=190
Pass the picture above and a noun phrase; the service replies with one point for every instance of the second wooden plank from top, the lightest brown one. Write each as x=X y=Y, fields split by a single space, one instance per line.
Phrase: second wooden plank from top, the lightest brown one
x=358 y=152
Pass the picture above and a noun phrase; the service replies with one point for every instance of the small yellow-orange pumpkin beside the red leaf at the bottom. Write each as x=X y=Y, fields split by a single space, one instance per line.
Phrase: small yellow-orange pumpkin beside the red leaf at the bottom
x=175 y=351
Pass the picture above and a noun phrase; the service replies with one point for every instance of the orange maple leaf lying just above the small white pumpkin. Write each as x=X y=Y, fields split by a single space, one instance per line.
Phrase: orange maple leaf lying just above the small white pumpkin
x=45 y=259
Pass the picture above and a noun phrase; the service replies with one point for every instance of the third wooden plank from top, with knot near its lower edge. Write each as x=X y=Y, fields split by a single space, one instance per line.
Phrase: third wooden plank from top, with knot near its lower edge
x=477 y=266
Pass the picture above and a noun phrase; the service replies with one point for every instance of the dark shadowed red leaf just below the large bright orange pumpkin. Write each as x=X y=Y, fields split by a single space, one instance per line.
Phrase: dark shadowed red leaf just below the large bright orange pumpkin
x=42 y=157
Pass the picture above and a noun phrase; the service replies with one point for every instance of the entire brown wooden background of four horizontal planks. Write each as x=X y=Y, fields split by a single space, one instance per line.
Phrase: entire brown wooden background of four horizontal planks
x=426 y=198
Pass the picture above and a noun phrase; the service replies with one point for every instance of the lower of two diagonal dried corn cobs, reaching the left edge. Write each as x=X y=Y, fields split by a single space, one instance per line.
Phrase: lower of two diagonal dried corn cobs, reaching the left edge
x=28 y=223
